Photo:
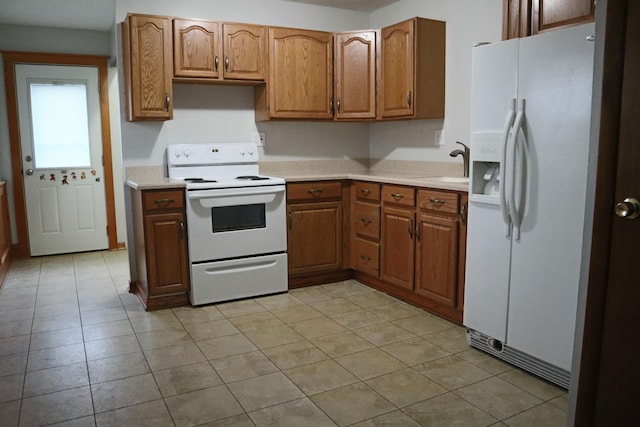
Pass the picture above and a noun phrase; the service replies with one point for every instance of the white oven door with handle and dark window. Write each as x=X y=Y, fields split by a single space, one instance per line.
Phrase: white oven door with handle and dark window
x=236 y=222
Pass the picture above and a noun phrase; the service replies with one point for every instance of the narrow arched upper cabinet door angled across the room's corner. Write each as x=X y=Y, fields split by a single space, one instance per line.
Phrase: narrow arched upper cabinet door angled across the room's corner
x=355 y=75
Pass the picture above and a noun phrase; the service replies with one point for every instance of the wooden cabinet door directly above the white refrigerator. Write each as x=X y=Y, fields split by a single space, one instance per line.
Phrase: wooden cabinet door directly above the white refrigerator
x=551 y=14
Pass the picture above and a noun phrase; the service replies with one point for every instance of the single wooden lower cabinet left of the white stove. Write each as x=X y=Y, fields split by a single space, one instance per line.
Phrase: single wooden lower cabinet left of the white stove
x=161 y=268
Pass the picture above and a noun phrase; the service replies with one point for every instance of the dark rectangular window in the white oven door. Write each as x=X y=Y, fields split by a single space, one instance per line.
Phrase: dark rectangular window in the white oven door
x=241 y=217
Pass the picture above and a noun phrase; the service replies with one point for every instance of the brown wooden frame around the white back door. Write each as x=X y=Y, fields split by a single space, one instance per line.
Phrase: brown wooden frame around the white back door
x=21 y=249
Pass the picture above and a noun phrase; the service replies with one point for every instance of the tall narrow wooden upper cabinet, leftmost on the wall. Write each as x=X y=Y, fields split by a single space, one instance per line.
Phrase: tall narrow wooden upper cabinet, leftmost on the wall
x=147 y=57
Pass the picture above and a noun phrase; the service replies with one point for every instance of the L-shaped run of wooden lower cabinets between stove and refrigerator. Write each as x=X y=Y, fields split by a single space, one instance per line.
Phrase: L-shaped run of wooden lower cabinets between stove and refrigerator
x=407 y=242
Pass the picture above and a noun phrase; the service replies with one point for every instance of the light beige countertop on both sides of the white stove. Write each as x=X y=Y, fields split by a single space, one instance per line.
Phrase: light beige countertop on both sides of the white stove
x=153 y=182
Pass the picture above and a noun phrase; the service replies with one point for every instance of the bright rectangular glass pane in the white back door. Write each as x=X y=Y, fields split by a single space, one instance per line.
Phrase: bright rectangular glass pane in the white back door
x=60 y=125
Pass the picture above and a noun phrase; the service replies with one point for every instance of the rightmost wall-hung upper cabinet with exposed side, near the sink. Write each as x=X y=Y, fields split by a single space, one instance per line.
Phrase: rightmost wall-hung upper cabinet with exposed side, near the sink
x=412 y=70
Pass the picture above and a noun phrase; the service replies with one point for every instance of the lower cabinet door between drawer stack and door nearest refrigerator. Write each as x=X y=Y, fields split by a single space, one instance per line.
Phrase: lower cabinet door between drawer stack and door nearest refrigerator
x=397 y=247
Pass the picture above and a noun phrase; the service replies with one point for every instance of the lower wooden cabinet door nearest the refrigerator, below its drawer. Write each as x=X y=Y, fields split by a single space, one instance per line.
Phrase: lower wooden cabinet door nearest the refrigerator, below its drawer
x=437 y=259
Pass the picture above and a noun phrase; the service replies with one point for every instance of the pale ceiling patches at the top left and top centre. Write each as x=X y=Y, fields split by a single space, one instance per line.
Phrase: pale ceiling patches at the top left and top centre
x=100 y=14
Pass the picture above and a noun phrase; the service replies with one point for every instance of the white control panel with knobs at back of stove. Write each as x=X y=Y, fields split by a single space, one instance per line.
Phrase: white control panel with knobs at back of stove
x=212 y=154
